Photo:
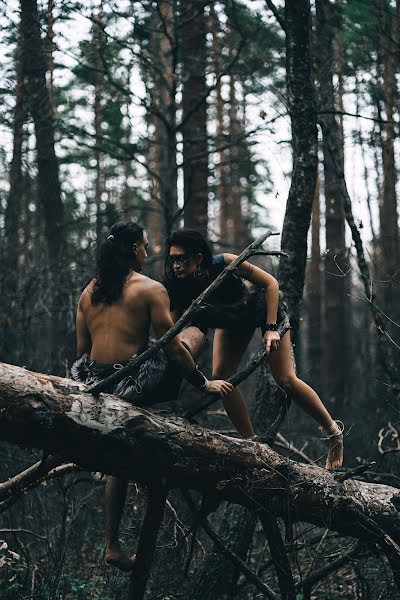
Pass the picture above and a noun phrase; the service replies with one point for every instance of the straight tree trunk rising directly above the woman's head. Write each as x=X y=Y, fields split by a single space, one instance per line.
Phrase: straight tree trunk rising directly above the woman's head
x=194 y=130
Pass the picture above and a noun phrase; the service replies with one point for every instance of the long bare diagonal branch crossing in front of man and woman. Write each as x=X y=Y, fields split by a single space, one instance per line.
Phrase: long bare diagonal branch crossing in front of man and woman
x=182 y=322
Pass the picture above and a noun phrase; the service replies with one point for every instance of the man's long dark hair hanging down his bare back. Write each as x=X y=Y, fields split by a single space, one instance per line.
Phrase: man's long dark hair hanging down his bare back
x=115 y=260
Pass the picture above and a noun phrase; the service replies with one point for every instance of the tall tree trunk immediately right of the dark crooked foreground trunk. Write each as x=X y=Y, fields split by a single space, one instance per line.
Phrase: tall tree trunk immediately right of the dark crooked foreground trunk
x=335 y=291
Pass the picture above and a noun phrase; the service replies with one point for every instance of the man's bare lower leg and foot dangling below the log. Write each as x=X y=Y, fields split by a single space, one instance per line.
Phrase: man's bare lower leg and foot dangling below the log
x=115 y=496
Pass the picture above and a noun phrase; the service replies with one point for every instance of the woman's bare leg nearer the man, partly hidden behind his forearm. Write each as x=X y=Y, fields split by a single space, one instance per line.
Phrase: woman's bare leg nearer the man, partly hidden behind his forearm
x=228 y=349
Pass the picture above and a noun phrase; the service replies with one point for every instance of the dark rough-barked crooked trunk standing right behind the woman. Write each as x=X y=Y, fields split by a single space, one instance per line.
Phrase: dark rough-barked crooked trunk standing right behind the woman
x=300 y=94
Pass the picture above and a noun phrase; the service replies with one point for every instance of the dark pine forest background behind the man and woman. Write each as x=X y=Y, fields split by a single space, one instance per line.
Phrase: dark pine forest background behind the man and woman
x=177 y=113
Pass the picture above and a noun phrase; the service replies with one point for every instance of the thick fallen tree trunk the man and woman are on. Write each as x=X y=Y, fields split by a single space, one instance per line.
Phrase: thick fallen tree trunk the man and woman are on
x=110 y=435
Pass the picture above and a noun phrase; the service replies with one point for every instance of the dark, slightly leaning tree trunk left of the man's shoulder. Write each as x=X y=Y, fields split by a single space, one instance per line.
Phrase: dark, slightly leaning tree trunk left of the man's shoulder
x=35 y=65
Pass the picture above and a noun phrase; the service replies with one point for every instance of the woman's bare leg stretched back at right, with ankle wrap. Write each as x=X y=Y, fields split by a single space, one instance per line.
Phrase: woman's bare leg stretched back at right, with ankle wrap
x=285 y=376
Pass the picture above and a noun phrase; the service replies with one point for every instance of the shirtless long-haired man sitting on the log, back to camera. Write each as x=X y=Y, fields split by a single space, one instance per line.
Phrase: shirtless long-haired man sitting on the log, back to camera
x=114 y=315
